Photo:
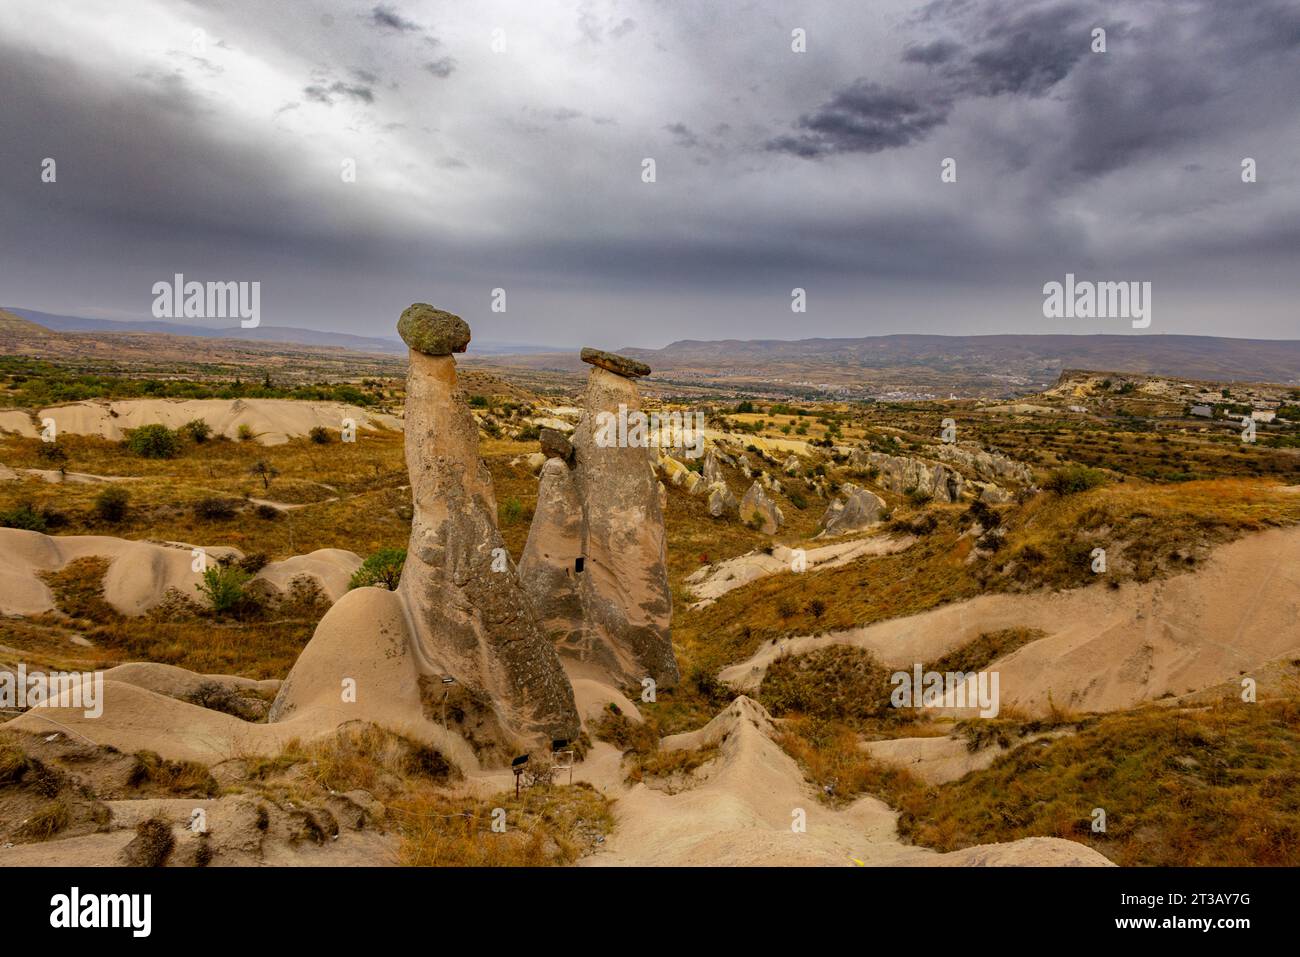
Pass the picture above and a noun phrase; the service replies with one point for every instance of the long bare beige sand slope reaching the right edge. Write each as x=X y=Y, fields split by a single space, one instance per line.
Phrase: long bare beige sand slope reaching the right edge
x=1106 y=649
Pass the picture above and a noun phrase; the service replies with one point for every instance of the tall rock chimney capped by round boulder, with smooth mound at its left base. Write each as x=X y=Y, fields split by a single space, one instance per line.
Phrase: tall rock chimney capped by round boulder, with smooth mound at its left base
x=462 y=620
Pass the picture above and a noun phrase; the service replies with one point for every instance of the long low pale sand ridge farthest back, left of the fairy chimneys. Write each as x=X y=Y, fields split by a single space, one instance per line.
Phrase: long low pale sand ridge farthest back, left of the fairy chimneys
x=274 y=422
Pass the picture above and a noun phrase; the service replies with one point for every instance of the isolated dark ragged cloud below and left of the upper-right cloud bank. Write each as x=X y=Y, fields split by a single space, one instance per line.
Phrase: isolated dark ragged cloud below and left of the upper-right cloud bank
x=864 y=118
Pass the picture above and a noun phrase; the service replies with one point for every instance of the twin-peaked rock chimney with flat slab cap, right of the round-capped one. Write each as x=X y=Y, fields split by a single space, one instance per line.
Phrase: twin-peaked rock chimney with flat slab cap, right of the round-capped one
x=595 y=564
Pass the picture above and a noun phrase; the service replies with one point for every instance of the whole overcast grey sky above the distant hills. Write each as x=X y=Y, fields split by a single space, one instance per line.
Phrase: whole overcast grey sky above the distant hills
x=501 y=145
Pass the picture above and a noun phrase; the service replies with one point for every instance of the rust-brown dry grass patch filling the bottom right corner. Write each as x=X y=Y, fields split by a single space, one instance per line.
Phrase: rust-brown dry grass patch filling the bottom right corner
x=1217 y=786
